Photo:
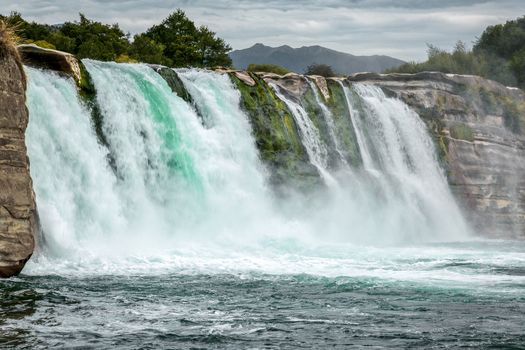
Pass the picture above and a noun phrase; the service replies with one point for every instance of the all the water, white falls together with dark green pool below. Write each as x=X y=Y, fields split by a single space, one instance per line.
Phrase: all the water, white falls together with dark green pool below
x=161 y=230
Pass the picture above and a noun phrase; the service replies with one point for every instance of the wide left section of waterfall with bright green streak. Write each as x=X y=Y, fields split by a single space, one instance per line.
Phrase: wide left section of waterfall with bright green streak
x=174 y=177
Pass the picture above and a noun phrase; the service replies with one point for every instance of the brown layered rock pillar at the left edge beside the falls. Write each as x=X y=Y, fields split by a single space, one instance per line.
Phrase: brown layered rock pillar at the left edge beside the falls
x=18 y=218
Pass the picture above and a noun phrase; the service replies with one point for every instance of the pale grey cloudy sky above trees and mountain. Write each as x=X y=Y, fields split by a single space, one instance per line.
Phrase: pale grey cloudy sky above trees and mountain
x=399 y=28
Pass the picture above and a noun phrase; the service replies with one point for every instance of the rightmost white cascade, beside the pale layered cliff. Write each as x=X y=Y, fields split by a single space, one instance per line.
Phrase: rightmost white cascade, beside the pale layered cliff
x=405 y=166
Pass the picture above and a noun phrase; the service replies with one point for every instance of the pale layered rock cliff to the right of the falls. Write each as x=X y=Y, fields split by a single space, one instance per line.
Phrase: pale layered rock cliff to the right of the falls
x=479 y=129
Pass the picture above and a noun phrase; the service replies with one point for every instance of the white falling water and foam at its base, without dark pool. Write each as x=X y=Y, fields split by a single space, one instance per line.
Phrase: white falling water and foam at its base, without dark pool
x=189 y=197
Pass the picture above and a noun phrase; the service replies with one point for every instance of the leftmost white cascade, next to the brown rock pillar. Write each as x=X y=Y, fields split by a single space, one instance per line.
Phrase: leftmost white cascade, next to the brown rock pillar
x=73 y=183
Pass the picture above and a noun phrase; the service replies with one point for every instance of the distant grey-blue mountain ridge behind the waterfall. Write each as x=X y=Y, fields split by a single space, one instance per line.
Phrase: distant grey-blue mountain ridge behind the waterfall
x=298 y=59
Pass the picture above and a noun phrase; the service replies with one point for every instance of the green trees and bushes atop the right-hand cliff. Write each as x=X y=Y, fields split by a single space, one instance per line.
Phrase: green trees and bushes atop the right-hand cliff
x=499 y=54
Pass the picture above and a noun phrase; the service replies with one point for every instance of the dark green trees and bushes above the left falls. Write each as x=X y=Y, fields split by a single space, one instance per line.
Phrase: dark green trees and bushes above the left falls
x=176 y=42
